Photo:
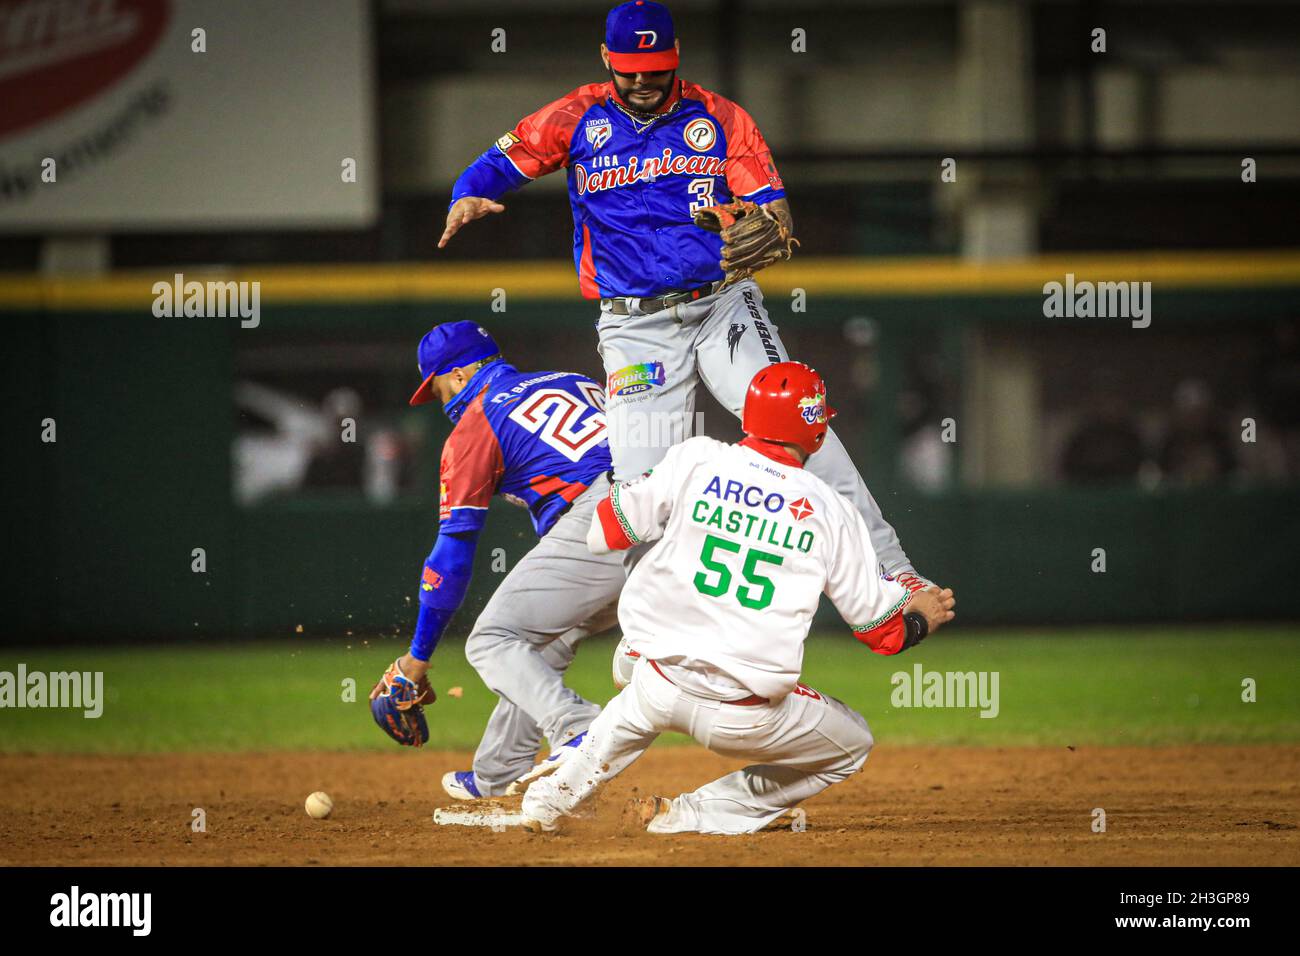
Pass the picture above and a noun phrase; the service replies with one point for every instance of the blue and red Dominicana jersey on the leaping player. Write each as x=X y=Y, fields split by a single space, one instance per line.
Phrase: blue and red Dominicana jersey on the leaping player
x=636 y=183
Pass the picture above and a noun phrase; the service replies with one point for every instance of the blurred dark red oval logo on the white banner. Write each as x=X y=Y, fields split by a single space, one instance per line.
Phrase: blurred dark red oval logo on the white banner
x=55 y=55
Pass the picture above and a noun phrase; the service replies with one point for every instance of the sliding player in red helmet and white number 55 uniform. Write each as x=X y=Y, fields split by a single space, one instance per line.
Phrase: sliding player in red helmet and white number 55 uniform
x=748 y=543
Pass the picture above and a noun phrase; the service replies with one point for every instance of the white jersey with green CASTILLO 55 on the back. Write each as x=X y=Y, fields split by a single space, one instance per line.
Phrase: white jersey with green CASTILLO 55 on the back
x=748 y=543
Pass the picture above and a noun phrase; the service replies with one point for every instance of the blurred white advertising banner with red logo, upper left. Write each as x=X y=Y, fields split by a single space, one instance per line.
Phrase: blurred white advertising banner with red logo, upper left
x=188 y=115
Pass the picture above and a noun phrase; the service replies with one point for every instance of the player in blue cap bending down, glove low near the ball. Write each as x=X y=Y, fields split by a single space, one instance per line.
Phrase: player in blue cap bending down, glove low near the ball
x=538 y=439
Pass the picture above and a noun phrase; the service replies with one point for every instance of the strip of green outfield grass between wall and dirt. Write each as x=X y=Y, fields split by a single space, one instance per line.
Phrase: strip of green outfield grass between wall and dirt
x=1060 y=687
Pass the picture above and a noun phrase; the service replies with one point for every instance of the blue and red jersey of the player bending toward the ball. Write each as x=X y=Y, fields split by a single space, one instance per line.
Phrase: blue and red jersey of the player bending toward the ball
x=538 y=439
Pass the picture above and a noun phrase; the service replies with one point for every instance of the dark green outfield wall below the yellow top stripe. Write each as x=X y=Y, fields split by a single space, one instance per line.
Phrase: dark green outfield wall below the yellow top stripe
x=103 y=522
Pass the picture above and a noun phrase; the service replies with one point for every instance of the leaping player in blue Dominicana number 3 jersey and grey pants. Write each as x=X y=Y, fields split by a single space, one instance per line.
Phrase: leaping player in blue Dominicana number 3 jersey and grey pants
x=677 y=204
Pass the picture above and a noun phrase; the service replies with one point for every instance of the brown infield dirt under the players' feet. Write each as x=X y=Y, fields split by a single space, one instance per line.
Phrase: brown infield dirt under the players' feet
x=1190 y=806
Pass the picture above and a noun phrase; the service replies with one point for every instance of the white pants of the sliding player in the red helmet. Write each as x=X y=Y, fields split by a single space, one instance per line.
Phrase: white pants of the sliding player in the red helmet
x=803 y=743
